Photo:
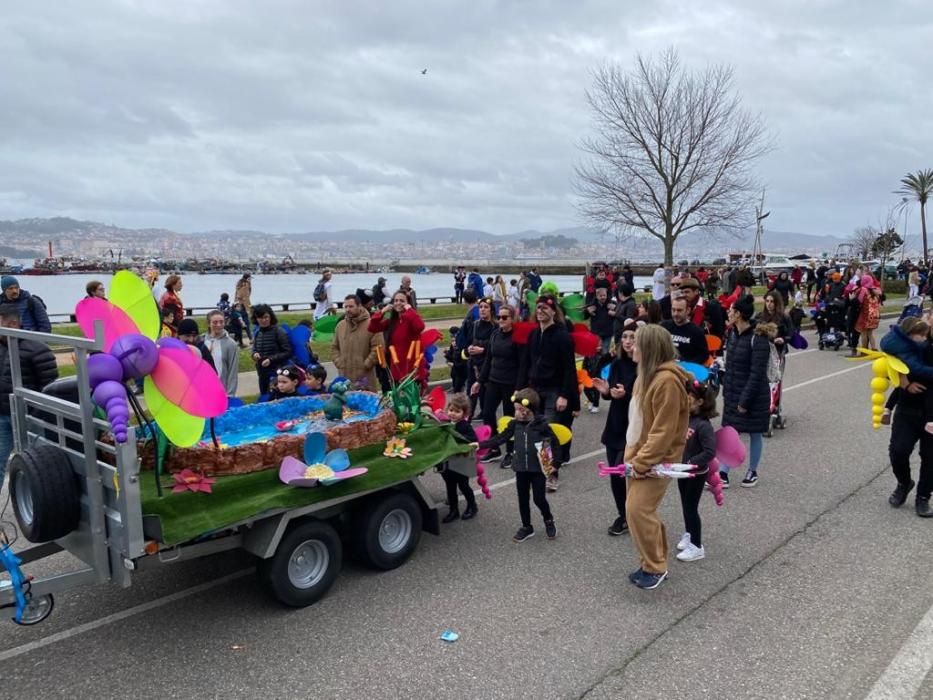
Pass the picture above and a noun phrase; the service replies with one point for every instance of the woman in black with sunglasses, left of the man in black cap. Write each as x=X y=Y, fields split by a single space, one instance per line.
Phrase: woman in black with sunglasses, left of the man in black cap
x=497 y=377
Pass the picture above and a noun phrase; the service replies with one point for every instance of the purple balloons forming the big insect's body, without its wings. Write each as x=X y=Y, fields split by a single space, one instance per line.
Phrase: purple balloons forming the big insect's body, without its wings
x=131 y=356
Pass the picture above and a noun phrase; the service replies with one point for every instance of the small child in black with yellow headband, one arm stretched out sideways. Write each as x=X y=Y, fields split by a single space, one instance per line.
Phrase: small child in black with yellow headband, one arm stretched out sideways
x=535 y=444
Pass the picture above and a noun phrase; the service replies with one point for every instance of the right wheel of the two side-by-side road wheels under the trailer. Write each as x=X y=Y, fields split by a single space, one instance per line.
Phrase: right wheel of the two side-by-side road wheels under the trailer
x=387 y=532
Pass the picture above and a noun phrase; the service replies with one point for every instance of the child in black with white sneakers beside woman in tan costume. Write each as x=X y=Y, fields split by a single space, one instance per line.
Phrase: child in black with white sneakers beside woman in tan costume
x=699 y=450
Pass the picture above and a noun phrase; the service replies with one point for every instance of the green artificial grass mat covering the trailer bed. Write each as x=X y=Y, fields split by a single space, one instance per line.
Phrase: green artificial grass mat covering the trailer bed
x=185 y=516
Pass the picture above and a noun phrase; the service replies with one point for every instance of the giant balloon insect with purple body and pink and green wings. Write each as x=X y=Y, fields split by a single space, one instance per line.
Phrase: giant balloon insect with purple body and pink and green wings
x=181 y=389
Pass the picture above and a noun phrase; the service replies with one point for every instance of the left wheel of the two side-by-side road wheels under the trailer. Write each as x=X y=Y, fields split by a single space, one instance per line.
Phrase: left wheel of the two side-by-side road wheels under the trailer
x=305 y=564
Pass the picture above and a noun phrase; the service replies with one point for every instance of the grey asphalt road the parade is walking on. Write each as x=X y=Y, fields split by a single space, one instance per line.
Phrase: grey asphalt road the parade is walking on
x=813 y=587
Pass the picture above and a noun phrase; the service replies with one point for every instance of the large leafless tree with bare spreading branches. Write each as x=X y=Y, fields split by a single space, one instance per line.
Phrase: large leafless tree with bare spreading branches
x=672 y=152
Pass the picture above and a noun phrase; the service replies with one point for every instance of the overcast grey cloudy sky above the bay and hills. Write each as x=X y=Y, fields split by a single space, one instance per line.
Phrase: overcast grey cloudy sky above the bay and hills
x=301 y=115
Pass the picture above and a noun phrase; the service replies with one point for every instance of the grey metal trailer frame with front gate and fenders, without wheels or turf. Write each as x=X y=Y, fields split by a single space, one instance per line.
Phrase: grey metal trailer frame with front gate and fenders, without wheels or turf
x=114 y=538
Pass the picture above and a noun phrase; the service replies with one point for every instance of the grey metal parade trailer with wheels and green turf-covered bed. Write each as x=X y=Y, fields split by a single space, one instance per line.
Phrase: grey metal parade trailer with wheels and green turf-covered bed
x=73 y=489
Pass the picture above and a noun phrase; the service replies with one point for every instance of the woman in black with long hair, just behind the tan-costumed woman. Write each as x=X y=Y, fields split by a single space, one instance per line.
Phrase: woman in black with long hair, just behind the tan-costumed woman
x=618 y=389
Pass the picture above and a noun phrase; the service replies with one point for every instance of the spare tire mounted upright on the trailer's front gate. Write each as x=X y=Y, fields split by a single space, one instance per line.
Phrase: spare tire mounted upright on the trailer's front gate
x=44 y=491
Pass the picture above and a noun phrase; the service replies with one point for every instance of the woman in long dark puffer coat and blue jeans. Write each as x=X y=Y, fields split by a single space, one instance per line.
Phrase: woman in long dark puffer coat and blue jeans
x=745 y=392
